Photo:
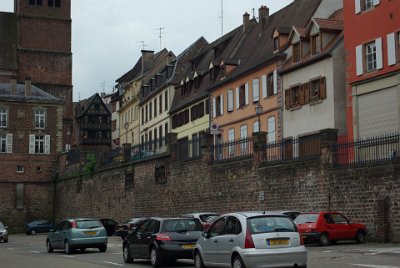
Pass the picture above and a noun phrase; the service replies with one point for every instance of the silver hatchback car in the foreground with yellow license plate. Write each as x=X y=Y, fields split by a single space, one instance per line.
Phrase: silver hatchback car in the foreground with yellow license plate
x=249 y=239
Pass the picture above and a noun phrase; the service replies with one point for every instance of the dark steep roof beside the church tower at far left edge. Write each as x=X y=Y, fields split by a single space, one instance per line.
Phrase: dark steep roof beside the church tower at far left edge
x=8 y=45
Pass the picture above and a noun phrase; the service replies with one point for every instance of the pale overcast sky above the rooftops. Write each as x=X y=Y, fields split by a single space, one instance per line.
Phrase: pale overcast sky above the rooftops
x=107 y=35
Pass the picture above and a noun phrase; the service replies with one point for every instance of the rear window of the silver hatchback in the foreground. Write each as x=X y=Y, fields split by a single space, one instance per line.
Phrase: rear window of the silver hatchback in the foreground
x=268 y=224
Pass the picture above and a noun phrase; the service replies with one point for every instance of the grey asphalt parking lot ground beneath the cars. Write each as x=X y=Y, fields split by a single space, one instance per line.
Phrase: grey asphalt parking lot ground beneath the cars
x=30 y=251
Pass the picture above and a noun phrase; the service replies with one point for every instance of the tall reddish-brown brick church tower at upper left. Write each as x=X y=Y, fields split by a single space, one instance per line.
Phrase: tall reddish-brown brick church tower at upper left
x=44 y=50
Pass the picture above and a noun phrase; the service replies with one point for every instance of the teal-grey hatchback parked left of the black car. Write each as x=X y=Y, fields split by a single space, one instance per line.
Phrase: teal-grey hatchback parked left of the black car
x=72 y=234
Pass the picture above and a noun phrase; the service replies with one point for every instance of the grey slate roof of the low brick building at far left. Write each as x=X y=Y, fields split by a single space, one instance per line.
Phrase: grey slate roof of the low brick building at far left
x=37 y=95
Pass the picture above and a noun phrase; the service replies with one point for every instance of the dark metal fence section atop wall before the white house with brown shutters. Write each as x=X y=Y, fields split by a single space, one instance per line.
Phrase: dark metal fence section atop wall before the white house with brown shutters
x=303 y=148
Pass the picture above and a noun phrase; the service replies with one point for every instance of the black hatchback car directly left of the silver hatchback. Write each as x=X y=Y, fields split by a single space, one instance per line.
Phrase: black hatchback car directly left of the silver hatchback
x=163 y=240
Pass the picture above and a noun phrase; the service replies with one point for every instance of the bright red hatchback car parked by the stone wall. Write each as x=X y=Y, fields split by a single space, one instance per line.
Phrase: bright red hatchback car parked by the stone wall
x=328 y=227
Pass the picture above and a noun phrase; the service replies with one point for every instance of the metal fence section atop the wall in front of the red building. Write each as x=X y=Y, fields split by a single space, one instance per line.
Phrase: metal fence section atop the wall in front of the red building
x=368 y=150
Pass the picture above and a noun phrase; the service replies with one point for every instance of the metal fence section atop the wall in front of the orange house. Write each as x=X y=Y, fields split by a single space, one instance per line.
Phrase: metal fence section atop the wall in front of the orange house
x=231 y=150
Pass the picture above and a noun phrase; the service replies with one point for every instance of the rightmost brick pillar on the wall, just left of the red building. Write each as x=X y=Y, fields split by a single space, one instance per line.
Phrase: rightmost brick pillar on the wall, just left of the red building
x=328 y=138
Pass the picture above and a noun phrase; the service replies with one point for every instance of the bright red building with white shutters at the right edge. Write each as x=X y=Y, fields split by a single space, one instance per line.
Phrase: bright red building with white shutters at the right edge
x=372 y=33
